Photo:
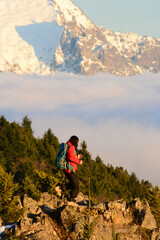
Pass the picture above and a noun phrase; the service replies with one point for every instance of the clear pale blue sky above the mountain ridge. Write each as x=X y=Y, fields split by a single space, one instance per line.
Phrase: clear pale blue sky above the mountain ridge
x=138 y=16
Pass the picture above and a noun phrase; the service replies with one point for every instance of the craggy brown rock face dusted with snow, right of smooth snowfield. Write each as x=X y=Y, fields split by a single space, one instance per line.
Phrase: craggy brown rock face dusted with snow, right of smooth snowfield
x=88 y=49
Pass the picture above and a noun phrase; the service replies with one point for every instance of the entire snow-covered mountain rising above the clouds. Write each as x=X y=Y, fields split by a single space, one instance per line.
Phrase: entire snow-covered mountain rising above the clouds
x=54 y=35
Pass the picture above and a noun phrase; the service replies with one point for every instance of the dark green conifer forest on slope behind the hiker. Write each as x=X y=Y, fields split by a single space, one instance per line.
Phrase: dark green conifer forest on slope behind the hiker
x=27 y=167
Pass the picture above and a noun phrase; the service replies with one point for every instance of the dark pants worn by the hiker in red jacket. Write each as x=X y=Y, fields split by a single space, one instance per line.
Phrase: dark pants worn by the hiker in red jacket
x=73 y=183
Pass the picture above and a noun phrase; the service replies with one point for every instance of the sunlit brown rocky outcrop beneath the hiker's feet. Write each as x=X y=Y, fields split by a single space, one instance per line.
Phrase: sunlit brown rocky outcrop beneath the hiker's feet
x=52 y=218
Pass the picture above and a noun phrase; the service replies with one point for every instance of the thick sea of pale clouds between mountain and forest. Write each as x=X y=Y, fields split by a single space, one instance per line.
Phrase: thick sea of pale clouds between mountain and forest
x=118 y=117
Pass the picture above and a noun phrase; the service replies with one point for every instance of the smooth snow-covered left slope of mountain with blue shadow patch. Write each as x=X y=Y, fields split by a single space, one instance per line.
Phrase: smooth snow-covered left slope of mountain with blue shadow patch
x=29 y=35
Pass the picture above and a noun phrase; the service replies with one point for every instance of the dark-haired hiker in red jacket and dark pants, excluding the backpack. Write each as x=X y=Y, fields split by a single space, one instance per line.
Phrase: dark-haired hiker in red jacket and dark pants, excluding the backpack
x=73 y=158
